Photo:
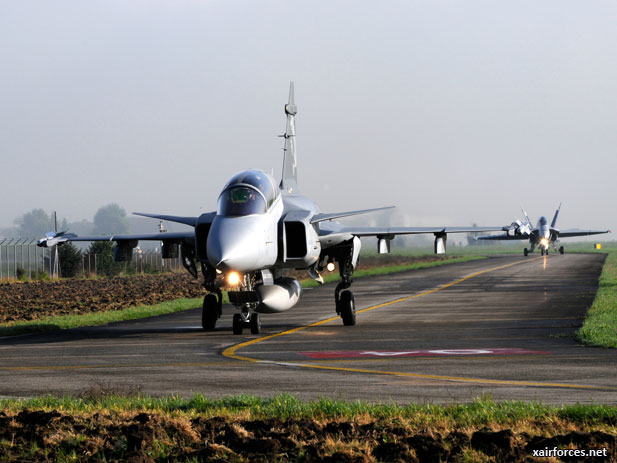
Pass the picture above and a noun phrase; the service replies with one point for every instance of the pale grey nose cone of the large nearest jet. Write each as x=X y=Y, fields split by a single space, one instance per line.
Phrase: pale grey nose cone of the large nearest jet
x=235 y=243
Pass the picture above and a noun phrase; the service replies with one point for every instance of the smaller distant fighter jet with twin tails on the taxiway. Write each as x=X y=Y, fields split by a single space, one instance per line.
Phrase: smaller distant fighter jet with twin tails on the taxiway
x=542 y=235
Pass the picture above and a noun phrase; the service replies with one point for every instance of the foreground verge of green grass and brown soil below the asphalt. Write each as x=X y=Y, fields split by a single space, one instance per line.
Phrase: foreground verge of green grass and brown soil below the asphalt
x=246 y=429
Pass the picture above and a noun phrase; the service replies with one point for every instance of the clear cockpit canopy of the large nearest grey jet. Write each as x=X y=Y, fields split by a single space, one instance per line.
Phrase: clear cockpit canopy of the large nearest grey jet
x=249 y=192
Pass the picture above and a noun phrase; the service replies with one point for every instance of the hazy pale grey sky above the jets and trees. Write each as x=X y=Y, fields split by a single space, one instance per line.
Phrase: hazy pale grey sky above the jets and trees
x=453 y=111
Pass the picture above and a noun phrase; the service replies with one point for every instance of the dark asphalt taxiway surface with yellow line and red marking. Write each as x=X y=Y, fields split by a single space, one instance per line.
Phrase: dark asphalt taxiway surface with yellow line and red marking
x=501 y=327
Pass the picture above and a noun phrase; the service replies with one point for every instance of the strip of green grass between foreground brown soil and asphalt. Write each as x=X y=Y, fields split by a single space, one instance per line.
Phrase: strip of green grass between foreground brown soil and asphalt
x=481 y=412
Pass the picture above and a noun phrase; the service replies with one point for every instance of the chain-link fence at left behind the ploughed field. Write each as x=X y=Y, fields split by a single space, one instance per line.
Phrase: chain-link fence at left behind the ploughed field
x=21 y=258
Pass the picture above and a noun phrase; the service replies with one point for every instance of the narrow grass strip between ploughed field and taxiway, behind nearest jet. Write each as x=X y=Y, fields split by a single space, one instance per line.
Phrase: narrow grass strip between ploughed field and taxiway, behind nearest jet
x=102 y=318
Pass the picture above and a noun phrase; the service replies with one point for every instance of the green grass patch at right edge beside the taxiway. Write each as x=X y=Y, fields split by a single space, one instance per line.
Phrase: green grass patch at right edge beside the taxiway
x=600 y=326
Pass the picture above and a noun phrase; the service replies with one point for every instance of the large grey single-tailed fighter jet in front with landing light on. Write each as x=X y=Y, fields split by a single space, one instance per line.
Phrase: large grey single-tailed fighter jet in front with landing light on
x=260 y=230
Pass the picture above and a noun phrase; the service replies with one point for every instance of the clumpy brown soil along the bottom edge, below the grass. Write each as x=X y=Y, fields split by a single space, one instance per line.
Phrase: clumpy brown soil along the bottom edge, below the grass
x=36 y=435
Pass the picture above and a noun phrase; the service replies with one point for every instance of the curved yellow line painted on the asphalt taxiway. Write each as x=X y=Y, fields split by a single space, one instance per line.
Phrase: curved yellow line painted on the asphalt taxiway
x=231 y=352
